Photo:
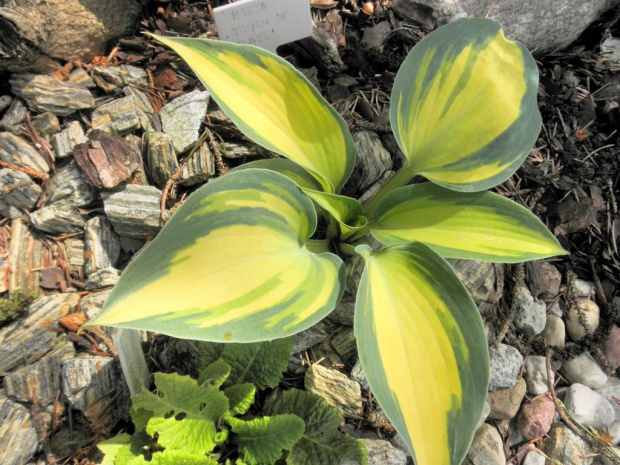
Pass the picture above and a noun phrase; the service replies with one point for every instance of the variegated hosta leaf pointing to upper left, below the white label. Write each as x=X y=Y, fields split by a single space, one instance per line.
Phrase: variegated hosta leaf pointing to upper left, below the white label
x=273 y=104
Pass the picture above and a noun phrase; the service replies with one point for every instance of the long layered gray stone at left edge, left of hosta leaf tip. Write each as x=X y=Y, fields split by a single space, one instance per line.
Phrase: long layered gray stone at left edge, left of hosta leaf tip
x=27 y=340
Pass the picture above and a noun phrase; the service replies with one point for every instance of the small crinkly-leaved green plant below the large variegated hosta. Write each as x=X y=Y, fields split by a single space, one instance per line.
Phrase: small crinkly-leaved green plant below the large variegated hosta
x=209 y=421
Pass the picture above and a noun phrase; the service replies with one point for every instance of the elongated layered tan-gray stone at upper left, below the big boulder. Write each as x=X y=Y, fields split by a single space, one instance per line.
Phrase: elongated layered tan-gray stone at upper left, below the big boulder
x=46 y=93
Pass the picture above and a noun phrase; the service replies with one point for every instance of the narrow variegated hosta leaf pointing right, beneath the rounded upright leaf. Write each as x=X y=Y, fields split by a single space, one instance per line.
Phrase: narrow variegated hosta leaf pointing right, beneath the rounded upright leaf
x=477 y=226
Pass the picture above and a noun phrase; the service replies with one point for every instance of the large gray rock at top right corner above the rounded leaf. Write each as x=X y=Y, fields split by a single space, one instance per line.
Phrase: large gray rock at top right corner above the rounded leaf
x=540 y=25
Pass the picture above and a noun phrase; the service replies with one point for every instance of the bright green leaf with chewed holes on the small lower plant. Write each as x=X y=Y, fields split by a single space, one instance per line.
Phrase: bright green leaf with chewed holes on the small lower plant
x=183 y=415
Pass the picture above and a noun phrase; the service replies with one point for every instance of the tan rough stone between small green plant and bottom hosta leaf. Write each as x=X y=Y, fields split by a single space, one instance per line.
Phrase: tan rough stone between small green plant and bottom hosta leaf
x=336 y=388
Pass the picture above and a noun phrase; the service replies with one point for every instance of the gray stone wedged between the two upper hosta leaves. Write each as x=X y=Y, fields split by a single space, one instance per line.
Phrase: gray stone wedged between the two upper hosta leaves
x=372 y=161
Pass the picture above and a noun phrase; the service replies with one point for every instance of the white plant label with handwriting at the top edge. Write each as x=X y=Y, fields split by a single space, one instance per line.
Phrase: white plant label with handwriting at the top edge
x=264 y=23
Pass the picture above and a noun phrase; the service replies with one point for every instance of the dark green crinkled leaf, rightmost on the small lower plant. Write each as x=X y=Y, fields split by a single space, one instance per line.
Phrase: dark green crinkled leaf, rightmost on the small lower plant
x=321 y=442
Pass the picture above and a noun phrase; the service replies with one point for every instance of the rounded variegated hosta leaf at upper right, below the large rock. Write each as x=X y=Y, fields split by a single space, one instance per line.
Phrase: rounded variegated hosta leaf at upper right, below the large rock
x=463 y=106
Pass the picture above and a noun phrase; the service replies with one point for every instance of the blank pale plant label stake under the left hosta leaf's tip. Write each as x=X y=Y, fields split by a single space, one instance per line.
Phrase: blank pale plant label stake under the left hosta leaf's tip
x=132 y=359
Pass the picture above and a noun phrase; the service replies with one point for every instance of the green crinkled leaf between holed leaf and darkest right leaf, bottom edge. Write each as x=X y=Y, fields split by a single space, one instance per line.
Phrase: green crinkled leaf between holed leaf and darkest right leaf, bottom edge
x=262 y=440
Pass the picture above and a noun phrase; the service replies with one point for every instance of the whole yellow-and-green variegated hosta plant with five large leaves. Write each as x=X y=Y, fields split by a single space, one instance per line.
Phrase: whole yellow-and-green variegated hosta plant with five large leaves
x=242 y=261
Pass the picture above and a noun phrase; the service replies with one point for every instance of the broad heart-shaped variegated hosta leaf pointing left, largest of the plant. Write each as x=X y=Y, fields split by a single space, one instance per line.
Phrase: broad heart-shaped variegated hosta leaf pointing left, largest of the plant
x=231 y=265
